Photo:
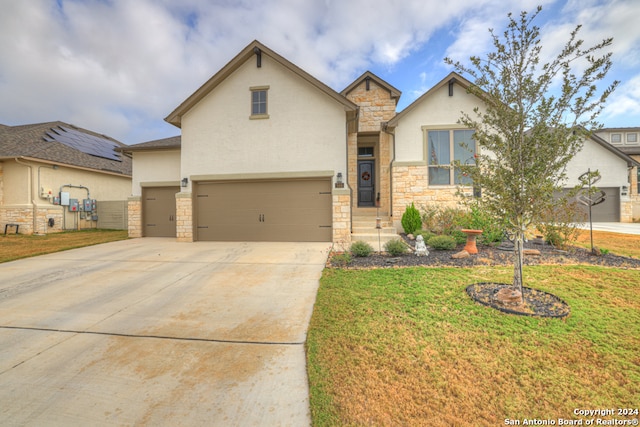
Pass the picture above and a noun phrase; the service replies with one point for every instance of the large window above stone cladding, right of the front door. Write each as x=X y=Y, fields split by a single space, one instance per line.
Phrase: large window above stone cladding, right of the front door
x=445 y=149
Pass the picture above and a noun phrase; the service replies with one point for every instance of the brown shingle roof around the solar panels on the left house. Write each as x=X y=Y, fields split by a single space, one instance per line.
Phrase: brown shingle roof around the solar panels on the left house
x=32 y=141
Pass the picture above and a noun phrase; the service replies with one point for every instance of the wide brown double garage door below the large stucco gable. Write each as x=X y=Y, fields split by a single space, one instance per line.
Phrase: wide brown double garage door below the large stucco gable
x=278 y=211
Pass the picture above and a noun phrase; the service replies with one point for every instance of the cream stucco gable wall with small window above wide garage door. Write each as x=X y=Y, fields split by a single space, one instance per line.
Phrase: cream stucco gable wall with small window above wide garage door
x=305 y=131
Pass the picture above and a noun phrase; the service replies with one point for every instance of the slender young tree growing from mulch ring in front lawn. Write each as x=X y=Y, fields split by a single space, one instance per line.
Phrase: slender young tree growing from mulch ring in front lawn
x=530 y=129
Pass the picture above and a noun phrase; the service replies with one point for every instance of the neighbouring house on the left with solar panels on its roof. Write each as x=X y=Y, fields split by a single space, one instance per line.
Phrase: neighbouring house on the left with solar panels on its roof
x=45 y=168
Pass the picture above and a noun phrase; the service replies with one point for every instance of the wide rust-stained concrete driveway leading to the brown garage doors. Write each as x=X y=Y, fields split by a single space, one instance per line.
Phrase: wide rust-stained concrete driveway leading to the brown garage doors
x=155 y=332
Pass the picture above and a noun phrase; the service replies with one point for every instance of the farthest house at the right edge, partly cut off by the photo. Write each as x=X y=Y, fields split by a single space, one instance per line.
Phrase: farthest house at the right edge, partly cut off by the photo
x=627 y=140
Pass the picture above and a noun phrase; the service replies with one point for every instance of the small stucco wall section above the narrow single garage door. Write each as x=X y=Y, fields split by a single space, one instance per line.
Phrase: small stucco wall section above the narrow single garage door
x=154 y=166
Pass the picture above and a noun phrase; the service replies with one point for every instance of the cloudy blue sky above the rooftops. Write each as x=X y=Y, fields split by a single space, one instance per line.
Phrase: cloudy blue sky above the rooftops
x=119 y=67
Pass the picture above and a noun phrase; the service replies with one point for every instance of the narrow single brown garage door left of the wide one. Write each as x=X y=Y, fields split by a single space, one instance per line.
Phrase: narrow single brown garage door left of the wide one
x=159 y=211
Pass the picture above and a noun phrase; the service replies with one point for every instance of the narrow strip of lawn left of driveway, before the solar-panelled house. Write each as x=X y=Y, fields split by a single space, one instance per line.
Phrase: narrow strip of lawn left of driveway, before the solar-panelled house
x=16 y=246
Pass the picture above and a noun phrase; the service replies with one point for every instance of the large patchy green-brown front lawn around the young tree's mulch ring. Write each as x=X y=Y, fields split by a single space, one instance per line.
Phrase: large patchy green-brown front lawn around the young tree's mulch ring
x=408 y=347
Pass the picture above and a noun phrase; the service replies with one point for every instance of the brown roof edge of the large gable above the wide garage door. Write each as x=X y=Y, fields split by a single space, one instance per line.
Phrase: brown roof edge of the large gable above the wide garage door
x=254 y=48
